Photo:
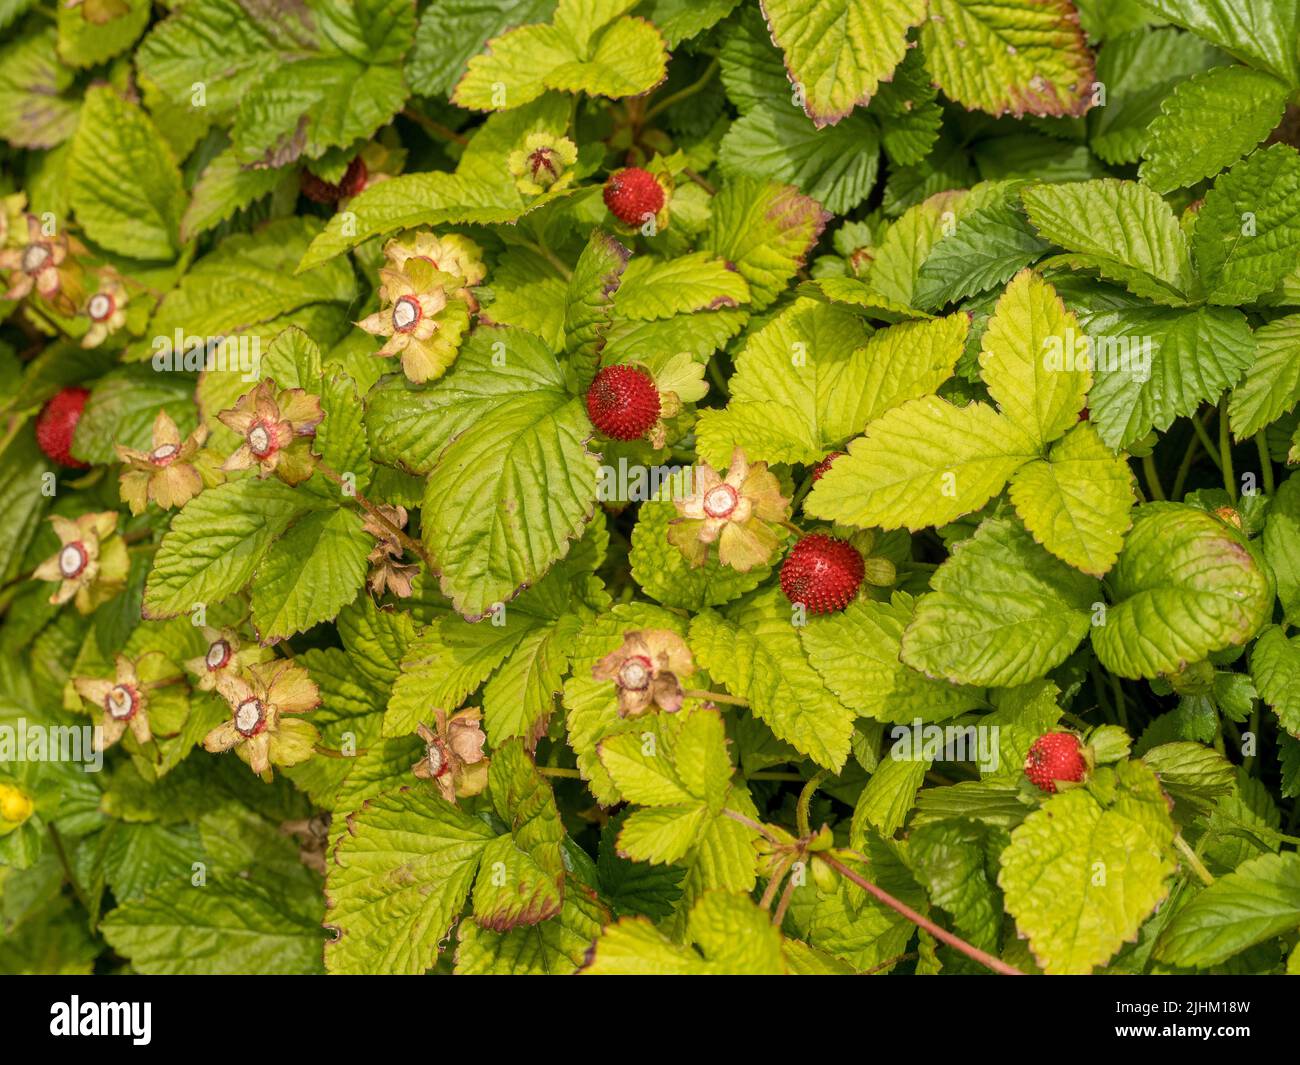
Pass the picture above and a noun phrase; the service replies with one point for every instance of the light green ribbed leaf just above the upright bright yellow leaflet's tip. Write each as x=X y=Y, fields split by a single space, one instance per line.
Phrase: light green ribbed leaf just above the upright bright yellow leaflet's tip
x=1123 y=230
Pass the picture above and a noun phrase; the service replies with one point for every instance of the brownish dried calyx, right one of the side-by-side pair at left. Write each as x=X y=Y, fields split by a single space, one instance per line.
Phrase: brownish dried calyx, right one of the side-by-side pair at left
x=278 y=428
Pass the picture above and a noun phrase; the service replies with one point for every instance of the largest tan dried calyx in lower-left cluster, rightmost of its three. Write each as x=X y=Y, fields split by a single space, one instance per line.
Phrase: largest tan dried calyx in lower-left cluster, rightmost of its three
x=259 y=730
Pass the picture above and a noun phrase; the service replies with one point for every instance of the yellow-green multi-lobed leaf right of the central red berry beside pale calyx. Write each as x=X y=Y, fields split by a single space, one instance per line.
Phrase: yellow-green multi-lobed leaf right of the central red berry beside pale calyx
x=812 y=378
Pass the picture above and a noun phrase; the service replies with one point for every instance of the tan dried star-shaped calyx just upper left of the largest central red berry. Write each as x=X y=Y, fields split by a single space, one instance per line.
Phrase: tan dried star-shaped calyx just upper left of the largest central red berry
x=742 y=513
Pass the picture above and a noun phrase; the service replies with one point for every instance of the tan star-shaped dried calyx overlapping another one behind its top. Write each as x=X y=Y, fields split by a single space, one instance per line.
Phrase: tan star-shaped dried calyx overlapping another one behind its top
x=421 y=322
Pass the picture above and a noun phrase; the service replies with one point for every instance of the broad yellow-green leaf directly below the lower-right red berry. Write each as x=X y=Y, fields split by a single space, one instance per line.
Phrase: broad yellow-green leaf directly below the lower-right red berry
x=1081 y=878
